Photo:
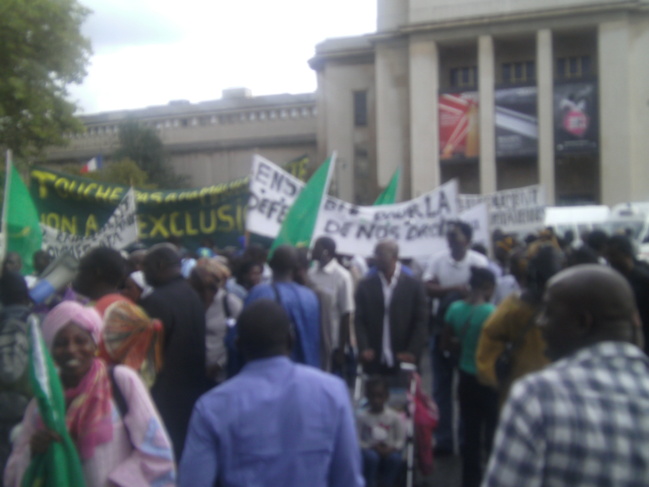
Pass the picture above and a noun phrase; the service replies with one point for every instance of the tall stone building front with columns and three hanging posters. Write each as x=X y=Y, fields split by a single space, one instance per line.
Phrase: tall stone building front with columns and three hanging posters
x=499 y=94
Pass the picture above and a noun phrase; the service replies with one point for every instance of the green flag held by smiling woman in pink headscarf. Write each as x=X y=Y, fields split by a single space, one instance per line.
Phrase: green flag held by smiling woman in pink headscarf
x=60 y=464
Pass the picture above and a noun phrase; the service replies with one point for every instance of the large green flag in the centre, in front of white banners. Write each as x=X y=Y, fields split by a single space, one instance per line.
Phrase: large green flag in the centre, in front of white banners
x=297 y=227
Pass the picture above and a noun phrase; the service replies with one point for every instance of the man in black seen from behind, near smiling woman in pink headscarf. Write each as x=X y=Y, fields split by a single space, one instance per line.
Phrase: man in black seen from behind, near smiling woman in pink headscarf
x=183 y=378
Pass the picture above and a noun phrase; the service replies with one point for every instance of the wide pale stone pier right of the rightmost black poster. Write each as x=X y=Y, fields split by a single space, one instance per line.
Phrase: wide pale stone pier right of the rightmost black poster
x=614 y=66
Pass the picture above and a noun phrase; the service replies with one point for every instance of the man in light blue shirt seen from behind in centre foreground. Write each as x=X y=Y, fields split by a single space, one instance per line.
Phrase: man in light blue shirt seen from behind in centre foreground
x=276 y=423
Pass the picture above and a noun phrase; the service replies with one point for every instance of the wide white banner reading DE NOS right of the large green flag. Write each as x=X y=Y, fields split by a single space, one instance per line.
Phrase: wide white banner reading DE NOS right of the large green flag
x=418 y=225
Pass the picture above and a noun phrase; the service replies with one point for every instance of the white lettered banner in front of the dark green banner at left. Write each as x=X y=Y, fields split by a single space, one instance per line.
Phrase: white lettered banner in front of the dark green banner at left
x=118 y=232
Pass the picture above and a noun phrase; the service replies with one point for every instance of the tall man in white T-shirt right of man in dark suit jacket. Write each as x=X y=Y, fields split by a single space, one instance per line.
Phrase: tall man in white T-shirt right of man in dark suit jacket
x=447 y=279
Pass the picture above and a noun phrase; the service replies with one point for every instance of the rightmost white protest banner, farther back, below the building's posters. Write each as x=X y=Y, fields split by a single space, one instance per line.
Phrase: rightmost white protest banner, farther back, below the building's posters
x=519 y=210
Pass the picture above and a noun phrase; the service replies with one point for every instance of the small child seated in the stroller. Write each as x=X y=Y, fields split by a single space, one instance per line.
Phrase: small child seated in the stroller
x=382 y=434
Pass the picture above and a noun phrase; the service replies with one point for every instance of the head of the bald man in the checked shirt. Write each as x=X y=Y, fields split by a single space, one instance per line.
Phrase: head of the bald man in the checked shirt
x=584 y=305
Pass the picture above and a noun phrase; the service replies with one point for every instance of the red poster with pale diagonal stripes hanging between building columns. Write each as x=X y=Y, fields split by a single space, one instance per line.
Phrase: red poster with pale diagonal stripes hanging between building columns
x=459 y=129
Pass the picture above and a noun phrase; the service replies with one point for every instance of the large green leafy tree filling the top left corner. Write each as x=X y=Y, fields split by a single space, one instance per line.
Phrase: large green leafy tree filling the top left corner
x=42 y=51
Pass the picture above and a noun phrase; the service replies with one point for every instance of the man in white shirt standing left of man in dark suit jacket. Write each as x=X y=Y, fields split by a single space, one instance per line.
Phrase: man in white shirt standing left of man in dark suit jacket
x=332 y=278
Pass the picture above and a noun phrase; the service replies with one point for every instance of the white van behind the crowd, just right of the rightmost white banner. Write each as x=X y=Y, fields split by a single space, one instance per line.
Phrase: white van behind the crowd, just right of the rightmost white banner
x=579 y=219
